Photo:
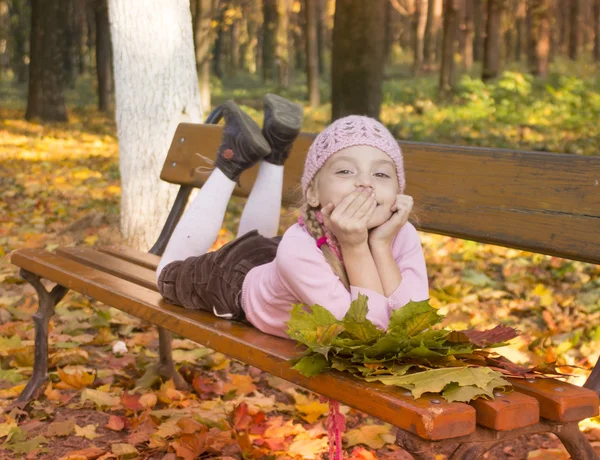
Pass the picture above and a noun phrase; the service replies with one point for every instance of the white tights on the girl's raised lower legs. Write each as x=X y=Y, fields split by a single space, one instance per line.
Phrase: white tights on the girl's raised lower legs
x=200 y=224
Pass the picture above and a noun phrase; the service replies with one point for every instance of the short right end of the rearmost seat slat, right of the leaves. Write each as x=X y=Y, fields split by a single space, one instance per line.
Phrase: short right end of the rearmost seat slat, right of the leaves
x=559 y=401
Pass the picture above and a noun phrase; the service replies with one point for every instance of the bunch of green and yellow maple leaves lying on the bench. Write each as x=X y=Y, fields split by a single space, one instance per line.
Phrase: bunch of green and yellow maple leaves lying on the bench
x=411 y=354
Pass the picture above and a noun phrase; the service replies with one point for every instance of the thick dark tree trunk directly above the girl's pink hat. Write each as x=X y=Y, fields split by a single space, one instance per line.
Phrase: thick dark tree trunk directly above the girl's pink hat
x=358 y=58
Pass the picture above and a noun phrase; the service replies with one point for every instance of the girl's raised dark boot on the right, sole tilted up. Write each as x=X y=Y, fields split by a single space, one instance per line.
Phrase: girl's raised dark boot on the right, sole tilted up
x=281 y=126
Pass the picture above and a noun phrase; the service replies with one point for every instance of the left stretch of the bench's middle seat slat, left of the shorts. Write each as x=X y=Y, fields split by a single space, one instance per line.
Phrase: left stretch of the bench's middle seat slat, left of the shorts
x=113 y=265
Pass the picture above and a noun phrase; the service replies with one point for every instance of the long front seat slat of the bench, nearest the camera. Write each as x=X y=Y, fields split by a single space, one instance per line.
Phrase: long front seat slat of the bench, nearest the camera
x=429 y=420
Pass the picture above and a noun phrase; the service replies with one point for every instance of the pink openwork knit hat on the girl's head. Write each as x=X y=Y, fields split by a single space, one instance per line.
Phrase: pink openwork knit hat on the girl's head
x=348 y=132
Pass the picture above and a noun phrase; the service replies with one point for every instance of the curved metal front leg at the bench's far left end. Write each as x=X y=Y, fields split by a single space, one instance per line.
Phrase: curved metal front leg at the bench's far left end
x=41 y=320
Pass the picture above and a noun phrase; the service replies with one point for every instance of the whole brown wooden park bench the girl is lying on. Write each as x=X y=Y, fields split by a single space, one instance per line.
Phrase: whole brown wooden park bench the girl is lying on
x=540 y=202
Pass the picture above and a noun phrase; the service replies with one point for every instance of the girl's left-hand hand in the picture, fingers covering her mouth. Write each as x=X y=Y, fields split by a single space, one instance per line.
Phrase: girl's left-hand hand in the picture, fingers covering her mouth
x=348 y=220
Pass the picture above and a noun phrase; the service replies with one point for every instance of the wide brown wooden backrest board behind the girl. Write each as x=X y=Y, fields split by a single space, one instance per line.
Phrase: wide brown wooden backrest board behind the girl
x=541 y=202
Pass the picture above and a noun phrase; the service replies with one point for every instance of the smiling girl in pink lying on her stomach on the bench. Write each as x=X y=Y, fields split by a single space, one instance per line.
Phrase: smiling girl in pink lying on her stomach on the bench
x=353 y=235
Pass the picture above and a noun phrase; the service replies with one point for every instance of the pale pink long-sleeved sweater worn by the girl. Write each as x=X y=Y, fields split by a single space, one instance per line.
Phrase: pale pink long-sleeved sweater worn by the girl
x=300 y=274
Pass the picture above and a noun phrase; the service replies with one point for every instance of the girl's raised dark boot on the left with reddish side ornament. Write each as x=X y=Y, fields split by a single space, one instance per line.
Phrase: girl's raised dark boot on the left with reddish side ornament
x=242 y=144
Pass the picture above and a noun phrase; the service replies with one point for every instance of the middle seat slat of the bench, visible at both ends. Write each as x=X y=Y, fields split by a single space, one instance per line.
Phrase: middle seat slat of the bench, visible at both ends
x=500 y=414
